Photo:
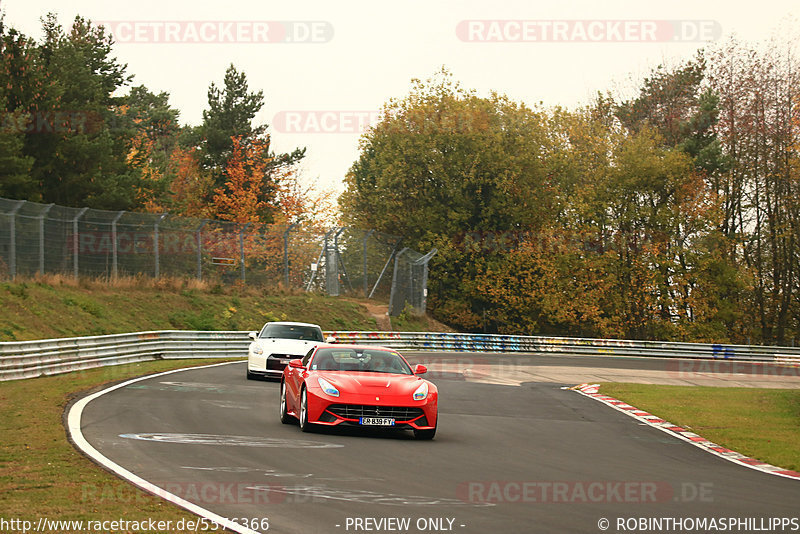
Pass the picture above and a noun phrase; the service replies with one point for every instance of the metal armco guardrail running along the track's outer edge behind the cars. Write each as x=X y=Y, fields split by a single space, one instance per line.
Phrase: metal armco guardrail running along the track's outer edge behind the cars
x=27 y=359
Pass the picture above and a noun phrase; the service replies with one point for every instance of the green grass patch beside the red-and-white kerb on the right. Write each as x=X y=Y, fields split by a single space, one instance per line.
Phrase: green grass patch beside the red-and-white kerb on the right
x=761 y=423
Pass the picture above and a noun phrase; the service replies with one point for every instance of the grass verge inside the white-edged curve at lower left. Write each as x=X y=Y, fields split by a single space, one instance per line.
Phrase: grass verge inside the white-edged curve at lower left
x=43 y=475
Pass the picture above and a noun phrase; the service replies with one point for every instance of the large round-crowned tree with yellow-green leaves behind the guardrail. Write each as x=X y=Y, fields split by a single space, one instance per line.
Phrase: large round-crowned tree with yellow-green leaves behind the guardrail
x=442 y=163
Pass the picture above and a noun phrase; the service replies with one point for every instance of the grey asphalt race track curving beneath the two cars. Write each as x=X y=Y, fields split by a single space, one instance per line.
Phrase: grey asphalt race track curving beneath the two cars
x=523 y=457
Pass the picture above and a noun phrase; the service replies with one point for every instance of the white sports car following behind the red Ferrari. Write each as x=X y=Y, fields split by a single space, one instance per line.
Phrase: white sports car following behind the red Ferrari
x=277 y=343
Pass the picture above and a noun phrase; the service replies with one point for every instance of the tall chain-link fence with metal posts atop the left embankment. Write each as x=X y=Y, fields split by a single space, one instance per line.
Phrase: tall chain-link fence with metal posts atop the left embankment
x=46 y=238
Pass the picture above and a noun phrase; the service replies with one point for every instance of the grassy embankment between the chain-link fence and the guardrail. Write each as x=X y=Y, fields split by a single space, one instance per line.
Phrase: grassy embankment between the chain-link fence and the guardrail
x=57 y=306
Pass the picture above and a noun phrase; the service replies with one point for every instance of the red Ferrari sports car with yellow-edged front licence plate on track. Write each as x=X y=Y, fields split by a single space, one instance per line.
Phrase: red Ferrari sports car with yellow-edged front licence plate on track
x=358 y=385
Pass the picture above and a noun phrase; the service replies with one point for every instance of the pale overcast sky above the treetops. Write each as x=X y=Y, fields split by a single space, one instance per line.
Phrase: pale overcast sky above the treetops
x=355 y=55
